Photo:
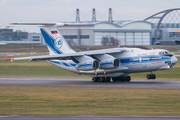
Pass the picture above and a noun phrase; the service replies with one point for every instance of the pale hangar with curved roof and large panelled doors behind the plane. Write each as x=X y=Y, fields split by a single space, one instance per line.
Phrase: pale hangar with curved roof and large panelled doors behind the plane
x=108 y=34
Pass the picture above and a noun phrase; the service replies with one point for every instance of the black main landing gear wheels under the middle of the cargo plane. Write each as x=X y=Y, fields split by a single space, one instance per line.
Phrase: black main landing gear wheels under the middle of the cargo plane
x=108 y=79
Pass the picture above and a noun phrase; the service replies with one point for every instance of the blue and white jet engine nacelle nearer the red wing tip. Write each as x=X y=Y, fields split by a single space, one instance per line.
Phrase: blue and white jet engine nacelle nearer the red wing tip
x=88 y=65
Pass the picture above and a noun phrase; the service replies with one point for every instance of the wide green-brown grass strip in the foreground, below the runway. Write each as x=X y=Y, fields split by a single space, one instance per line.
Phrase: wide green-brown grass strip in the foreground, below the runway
x=44 y=100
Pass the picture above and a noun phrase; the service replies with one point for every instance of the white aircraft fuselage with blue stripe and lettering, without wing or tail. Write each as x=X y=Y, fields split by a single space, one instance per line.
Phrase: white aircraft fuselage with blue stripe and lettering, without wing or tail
x=133 y=60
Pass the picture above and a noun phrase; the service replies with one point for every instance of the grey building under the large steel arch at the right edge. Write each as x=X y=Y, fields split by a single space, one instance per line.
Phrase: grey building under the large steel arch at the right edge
x=165 y=27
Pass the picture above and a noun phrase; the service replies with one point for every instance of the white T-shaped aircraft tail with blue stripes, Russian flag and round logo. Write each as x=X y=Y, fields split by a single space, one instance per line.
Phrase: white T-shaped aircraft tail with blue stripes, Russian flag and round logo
x=53 y=38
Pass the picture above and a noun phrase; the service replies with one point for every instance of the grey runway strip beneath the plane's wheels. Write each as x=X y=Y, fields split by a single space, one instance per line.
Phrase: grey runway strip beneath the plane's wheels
x=89 y=83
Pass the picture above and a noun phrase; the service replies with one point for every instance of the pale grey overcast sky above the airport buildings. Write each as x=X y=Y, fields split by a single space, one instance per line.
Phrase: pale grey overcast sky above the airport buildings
x=56 y=10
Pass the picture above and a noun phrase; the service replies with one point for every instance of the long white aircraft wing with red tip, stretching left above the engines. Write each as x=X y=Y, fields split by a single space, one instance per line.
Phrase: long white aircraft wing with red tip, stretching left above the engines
x=69 y=56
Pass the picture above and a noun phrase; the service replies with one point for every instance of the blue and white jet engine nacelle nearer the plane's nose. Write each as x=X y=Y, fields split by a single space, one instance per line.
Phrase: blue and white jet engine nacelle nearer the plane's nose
x=109 y=64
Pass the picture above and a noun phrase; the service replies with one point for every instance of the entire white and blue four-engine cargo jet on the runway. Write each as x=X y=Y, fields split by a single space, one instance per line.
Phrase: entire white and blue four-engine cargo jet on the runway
x=101 y=65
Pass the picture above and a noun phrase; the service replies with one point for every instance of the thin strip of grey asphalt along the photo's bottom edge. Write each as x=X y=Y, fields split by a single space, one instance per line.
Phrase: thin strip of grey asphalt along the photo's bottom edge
x=87 y=118
